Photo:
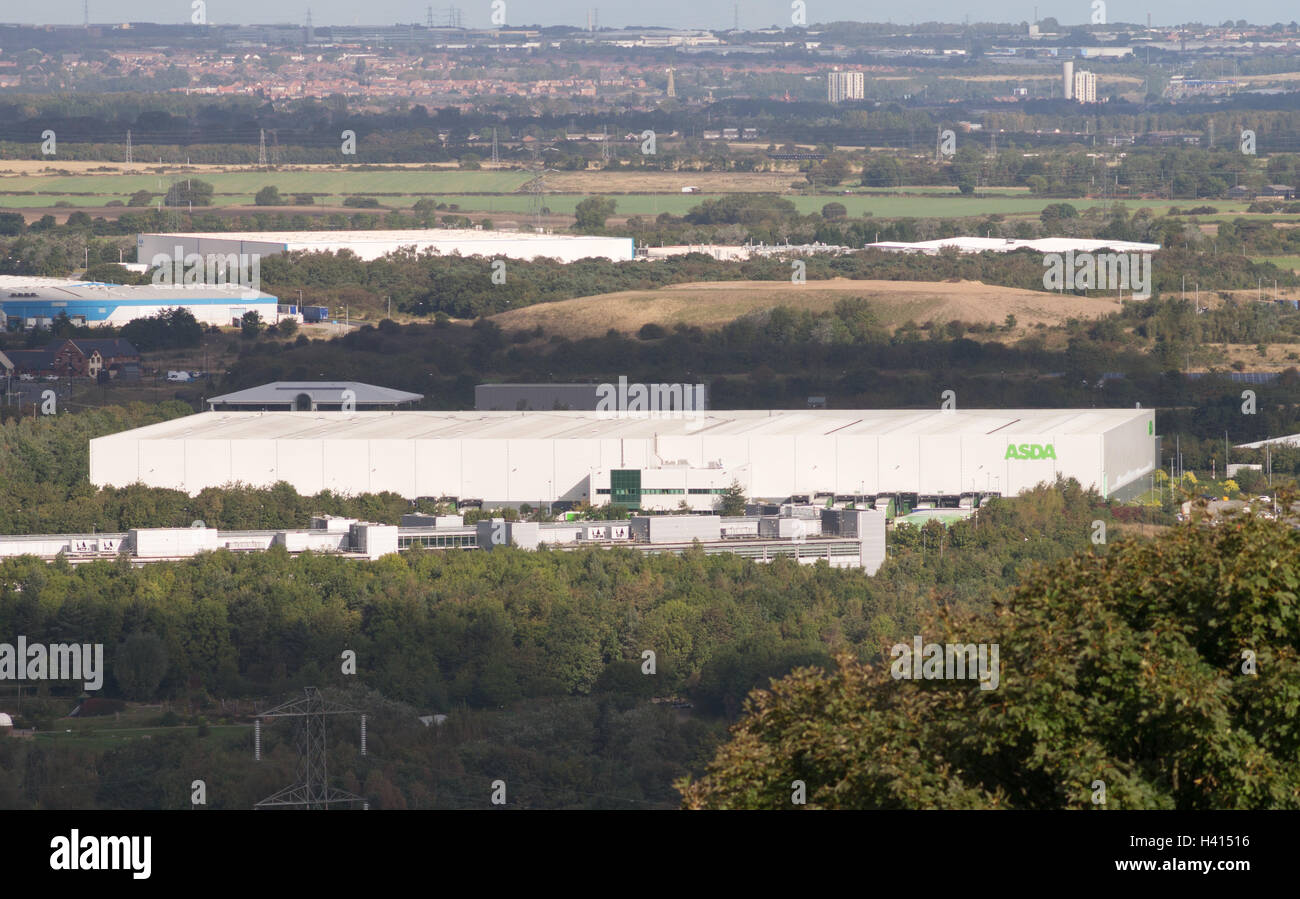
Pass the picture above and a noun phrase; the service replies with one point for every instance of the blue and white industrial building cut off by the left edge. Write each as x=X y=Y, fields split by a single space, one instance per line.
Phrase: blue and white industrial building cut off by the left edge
x=37 y=302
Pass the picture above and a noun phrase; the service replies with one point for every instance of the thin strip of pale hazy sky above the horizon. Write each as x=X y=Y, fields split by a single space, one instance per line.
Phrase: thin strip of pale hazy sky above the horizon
x=675 y=14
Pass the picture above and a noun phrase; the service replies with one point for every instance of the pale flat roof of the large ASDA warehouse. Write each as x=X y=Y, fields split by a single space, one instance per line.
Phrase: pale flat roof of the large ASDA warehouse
x=587 y=425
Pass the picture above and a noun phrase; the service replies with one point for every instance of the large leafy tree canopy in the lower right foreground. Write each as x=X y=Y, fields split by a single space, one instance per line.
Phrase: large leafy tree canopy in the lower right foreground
x=1132 y=670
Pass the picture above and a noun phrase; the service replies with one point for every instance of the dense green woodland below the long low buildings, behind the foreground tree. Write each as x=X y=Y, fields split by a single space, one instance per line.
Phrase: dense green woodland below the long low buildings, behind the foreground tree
x=536 y=657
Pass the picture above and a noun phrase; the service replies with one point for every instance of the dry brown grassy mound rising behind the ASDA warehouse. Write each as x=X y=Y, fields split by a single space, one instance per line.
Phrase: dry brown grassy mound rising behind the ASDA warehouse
x=713 y=305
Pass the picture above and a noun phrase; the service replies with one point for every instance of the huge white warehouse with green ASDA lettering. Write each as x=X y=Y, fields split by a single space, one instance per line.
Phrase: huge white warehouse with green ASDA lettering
x=642 y=461
